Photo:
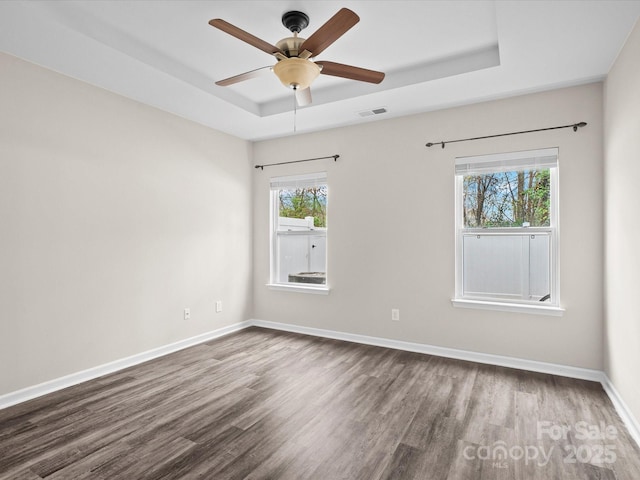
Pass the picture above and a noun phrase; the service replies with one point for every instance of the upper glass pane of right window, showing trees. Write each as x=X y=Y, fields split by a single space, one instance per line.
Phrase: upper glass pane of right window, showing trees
x=507 y=199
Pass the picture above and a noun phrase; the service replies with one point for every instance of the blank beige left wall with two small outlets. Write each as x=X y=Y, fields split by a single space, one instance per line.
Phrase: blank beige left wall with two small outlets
x=114 y=217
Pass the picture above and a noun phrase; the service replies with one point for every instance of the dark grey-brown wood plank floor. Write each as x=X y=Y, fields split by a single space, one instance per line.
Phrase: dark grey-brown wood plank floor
x=260 y=404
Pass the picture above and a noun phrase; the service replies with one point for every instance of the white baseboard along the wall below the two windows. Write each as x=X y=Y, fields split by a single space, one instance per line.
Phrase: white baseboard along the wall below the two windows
x=486 y=358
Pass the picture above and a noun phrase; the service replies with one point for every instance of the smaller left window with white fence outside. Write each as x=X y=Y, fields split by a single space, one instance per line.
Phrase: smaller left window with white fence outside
x=299 y=231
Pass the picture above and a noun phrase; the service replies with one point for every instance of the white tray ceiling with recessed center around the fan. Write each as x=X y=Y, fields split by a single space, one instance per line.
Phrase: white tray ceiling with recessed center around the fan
x=436 y=54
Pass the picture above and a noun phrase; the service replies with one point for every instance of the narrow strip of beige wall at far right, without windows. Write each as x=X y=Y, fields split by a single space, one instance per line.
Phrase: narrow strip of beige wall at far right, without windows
x=622 y=177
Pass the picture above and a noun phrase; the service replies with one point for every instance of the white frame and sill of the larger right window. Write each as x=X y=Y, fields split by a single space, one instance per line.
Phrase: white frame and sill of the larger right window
x=543 y=158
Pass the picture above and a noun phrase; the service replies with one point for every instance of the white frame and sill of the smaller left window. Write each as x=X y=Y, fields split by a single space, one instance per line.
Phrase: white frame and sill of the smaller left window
x=292 y=182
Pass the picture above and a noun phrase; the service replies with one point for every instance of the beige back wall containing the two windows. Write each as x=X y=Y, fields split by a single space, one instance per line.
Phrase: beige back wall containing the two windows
x=391 y=228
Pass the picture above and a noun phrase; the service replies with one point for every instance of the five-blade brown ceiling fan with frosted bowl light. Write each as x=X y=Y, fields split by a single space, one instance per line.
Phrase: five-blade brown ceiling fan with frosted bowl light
x=294 y=67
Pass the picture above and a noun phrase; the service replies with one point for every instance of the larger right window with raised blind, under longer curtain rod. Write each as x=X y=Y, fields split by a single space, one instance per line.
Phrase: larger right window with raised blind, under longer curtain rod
x=506 y=228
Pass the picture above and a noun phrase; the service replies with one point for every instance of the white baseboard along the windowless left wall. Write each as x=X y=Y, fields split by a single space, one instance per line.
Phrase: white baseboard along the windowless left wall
x=51 y=386
